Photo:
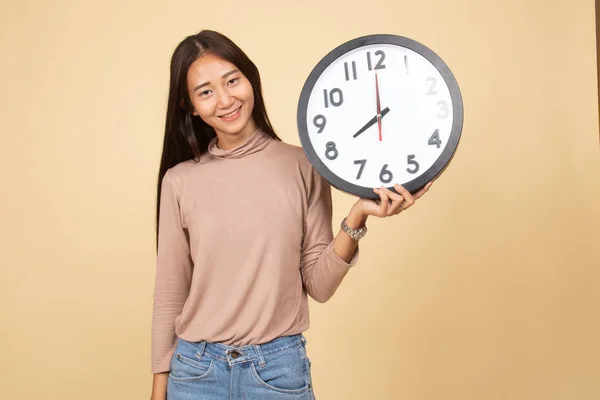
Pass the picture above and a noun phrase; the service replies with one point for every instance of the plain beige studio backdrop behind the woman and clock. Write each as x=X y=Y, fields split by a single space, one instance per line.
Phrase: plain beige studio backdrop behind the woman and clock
x=489 y=288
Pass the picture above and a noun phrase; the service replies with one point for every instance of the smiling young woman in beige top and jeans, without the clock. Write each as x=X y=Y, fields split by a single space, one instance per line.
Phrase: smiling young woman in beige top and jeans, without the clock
x=244 y=235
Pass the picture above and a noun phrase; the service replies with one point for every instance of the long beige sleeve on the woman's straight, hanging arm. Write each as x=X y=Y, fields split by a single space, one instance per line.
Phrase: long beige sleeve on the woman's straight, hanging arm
x=173 y=276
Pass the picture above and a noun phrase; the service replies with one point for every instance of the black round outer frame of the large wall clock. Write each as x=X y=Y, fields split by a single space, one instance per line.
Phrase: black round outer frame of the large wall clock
x=457 y=105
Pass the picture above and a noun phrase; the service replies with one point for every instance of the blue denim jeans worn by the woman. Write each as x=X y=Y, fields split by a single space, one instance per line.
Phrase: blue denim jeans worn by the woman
x=277 y=370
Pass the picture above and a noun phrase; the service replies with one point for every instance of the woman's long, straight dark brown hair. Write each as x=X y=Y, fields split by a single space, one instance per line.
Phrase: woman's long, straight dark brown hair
x=187 y=136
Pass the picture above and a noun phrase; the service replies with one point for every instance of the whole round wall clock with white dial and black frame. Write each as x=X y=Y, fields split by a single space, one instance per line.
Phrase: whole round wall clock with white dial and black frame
x=380 y=110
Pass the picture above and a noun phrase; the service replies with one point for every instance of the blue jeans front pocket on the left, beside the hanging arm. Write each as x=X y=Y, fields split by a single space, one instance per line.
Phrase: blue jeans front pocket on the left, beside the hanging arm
x=189 y=365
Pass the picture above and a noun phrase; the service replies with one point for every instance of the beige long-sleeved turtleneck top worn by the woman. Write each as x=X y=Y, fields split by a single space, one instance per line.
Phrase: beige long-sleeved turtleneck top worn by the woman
x=244 y=235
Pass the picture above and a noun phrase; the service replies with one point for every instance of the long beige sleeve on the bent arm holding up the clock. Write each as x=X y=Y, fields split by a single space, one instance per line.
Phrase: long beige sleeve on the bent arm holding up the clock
x=321 y=268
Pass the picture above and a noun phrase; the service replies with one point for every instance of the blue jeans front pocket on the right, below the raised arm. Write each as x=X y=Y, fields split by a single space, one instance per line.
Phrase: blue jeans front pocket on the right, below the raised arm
x=285 y=372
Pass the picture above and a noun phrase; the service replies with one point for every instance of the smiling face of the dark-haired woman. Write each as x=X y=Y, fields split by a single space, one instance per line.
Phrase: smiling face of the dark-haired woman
x=222 y=96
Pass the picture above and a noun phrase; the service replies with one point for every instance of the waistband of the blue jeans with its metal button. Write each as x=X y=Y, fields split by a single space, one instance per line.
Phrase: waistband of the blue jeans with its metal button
x=251 y=352
